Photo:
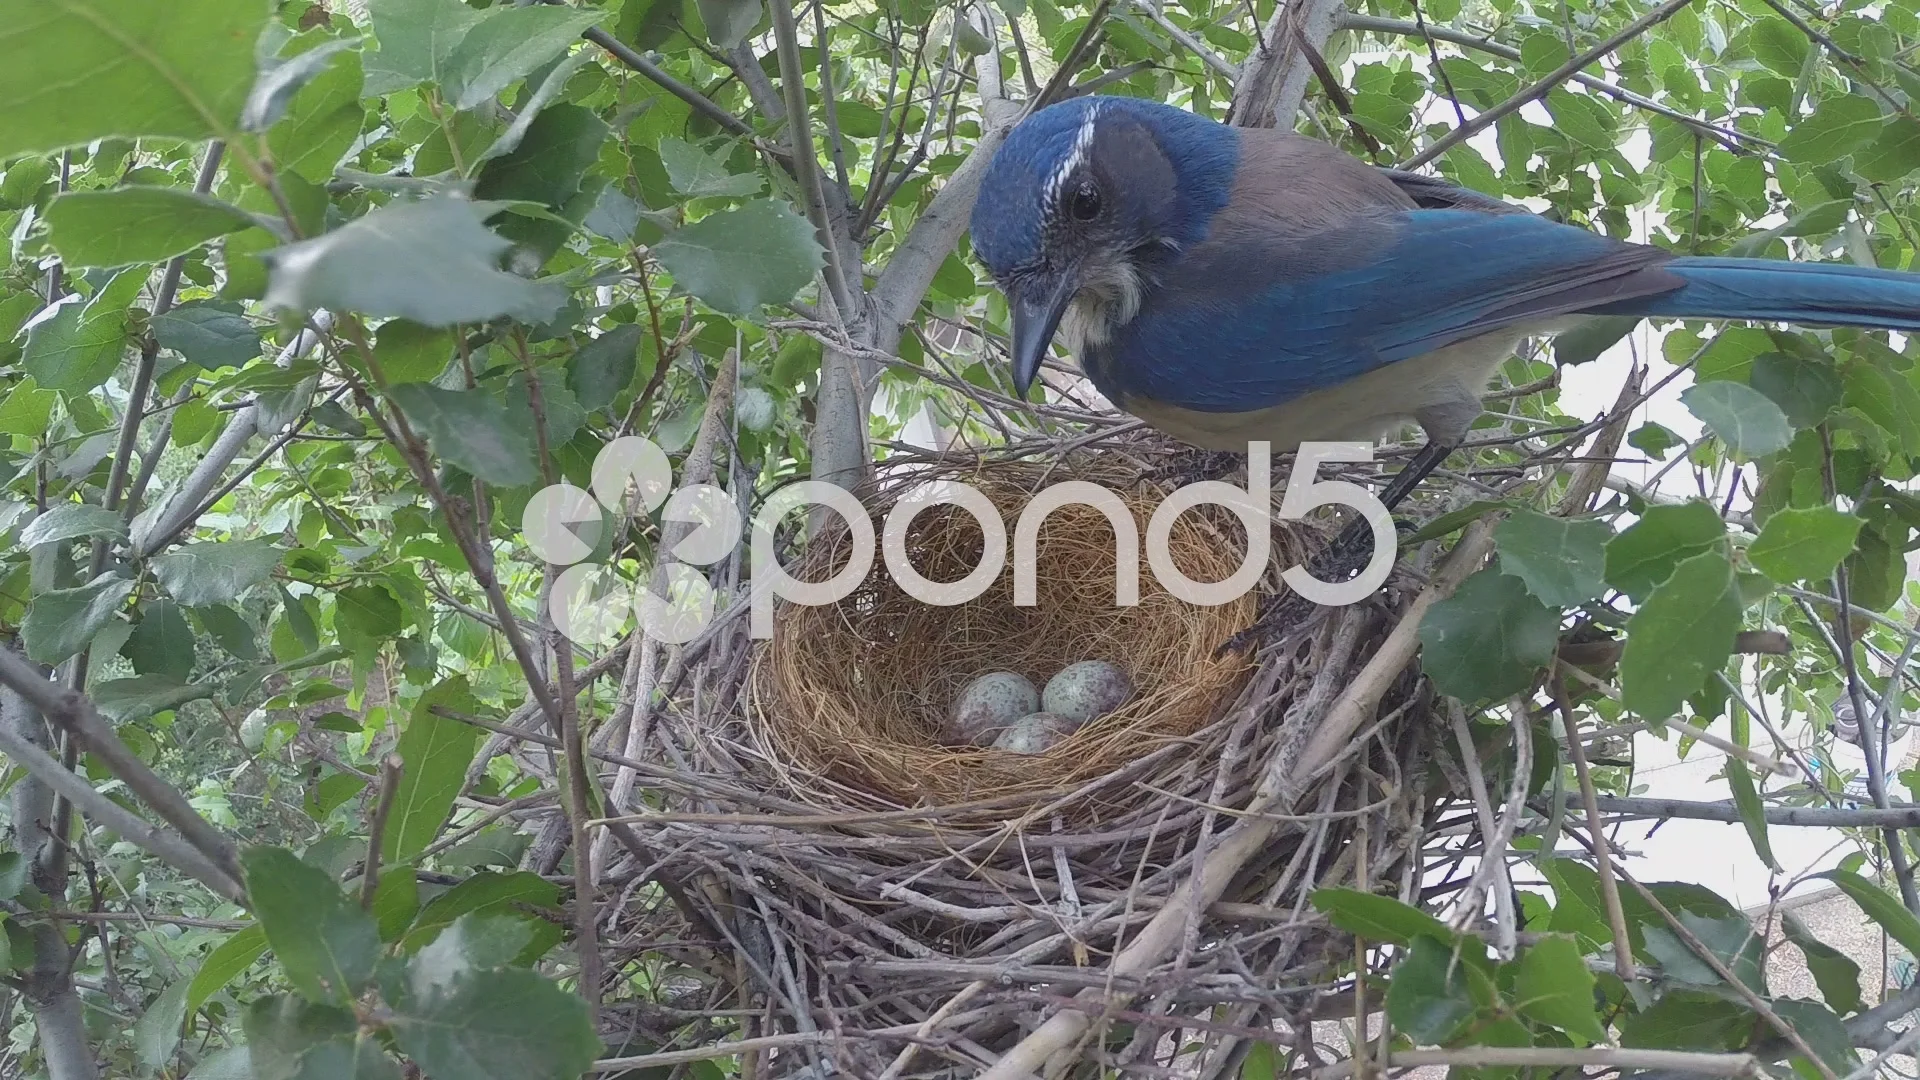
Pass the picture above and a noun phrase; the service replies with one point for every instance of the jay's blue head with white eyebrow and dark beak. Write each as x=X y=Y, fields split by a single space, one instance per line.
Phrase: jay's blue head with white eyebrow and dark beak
x=1082 y=205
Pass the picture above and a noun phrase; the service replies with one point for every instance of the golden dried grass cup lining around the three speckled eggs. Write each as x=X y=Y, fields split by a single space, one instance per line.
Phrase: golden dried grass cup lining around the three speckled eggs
x=855 y=693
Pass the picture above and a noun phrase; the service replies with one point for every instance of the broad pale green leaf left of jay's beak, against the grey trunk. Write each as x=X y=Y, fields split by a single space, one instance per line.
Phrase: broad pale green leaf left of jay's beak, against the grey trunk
x=742 y=258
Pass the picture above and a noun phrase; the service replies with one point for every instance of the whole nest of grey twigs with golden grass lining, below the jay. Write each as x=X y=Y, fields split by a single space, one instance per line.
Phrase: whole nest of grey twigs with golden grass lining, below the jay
x=878 y=904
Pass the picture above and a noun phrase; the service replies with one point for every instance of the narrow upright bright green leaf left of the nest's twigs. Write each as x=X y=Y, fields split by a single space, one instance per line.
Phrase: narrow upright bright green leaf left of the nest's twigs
x=435 y=756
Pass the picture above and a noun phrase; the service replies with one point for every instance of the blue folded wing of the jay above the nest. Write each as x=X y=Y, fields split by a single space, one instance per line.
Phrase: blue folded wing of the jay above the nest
x=1251 y=320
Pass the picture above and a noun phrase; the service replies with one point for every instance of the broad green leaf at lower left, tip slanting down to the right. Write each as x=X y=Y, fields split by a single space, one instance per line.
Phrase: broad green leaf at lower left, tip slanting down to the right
x=325 y=945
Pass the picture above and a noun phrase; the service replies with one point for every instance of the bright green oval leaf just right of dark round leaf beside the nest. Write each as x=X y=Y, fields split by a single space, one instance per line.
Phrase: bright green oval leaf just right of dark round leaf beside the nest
x=1681 y=635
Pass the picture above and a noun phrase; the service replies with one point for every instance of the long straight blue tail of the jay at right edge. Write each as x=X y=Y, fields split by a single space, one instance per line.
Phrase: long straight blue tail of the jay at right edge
x=1777 y=291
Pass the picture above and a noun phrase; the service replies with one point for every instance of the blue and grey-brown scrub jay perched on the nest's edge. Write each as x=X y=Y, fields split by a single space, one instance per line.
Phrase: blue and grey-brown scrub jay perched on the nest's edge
x=1234 y=285
